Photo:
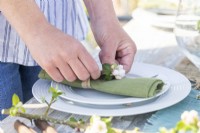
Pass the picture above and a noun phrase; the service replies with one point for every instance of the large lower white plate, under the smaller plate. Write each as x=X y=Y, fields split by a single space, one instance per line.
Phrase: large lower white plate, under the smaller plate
x=179 y=89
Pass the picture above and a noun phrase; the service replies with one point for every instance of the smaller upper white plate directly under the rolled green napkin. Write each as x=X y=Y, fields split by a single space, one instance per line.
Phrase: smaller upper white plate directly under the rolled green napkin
x=91 y=96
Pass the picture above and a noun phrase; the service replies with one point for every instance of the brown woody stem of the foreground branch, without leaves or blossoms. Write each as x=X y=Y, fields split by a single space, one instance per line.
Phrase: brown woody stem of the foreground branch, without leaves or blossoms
x=48 y=119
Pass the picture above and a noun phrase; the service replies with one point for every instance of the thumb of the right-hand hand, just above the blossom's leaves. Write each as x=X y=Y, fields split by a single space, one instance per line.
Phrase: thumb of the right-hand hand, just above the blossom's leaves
x=107 y=55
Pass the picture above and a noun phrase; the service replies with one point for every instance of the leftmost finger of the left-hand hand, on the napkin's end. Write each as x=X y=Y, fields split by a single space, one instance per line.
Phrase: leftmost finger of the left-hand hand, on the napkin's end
x=54 y=73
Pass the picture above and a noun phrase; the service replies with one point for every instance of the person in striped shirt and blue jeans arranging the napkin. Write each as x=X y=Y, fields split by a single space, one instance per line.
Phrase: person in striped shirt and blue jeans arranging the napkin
x=47 y=33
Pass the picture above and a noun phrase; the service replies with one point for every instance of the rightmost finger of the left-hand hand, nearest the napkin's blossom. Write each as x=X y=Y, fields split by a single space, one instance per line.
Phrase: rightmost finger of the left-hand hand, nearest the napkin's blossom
x=90 y=64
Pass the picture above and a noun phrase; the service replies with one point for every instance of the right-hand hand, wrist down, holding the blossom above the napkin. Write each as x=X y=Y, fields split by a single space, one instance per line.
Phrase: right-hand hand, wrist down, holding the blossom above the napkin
x=115 y=44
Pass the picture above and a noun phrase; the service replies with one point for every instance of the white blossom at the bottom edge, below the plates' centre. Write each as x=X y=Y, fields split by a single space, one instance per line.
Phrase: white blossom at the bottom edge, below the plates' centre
x=97 y=126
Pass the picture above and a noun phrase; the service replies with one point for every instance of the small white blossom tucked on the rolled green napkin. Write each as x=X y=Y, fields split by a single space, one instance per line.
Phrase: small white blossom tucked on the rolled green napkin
x=119 y=72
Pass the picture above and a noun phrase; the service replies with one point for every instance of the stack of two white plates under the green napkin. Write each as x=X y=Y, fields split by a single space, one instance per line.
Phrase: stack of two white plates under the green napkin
x=92 y=102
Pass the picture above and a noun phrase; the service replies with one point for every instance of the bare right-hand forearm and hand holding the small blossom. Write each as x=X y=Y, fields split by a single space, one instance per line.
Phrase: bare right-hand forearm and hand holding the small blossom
x=114 y=42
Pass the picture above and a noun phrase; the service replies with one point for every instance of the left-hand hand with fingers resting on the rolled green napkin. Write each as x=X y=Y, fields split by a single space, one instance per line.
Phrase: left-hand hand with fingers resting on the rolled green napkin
x=62 y=56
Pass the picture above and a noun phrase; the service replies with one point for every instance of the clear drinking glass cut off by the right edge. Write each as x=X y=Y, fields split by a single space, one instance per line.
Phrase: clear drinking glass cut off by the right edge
x=187 y=29
